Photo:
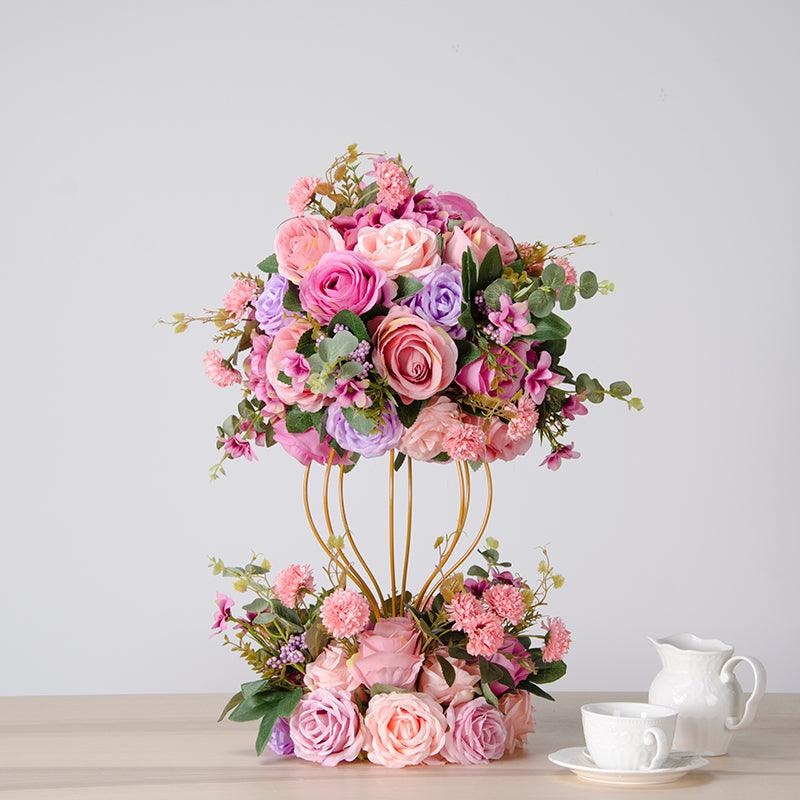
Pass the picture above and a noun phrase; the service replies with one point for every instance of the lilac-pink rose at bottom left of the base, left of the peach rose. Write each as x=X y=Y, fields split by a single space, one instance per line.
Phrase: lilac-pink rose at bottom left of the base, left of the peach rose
x=326 y=728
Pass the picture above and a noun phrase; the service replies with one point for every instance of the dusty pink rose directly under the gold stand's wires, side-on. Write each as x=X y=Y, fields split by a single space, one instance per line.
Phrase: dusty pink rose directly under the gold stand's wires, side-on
x=389 y=654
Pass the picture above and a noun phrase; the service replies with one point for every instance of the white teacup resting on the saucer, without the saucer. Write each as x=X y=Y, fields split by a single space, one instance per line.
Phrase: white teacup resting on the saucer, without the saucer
x=628 y=736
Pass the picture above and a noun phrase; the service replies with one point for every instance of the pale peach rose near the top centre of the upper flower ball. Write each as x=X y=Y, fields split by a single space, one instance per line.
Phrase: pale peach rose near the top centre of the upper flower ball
x=400 y=248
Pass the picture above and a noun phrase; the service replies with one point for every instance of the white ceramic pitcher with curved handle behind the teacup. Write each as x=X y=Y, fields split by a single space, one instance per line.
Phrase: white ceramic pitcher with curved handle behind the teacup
x=697 y=680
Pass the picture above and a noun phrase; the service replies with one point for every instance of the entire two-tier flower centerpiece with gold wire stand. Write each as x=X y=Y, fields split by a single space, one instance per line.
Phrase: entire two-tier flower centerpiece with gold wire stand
x=398 y=321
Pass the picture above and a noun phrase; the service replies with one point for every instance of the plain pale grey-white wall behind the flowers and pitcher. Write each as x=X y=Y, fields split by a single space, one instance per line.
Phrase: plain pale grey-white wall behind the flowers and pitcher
x=146 y=152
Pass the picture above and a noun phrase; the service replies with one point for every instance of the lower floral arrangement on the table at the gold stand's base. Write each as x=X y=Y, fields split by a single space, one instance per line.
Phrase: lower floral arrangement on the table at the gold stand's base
x=451 y=683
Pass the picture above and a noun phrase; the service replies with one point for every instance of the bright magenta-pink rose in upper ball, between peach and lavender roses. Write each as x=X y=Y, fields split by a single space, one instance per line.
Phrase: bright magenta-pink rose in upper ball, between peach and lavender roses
x=343 y=281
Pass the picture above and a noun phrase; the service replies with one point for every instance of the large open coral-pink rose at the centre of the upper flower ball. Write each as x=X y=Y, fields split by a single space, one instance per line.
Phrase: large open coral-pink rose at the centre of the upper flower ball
x=417 y=360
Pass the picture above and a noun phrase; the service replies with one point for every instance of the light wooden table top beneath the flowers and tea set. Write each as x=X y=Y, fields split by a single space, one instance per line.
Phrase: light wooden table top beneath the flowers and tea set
x=169 y=746
